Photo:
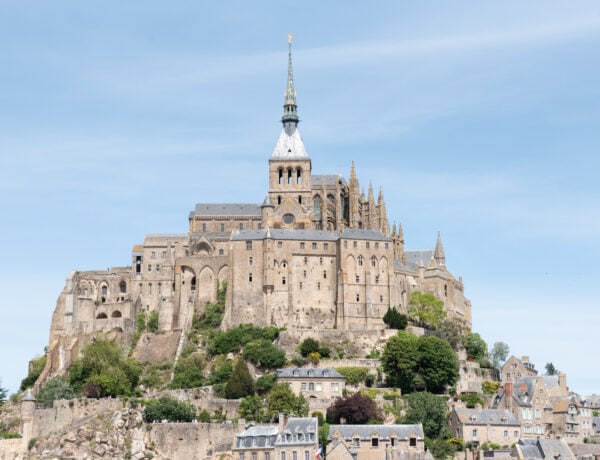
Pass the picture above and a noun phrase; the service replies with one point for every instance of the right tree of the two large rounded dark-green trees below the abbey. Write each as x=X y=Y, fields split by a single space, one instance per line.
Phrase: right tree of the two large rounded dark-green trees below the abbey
x=437 y=363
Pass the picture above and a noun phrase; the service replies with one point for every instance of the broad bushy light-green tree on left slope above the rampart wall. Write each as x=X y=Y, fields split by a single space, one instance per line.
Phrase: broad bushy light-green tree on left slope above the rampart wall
x=103 y=366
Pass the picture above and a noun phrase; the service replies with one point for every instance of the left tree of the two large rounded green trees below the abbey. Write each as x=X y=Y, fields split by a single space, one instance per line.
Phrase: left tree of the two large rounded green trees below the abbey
x=400 y=360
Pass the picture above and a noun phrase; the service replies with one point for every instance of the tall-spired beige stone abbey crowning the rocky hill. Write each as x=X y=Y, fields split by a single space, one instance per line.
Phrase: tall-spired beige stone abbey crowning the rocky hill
x=315 y=253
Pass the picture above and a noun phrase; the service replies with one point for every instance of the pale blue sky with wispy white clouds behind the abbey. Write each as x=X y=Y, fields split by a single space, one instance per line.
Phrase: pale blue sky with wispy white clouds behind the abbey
x=478 y=119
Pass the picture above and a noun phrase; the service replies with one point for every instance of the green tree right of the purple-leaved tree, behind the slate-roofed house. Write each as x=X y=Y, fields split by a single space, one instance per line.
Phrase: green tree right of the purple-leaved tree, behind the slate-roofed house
x=430 y=410
